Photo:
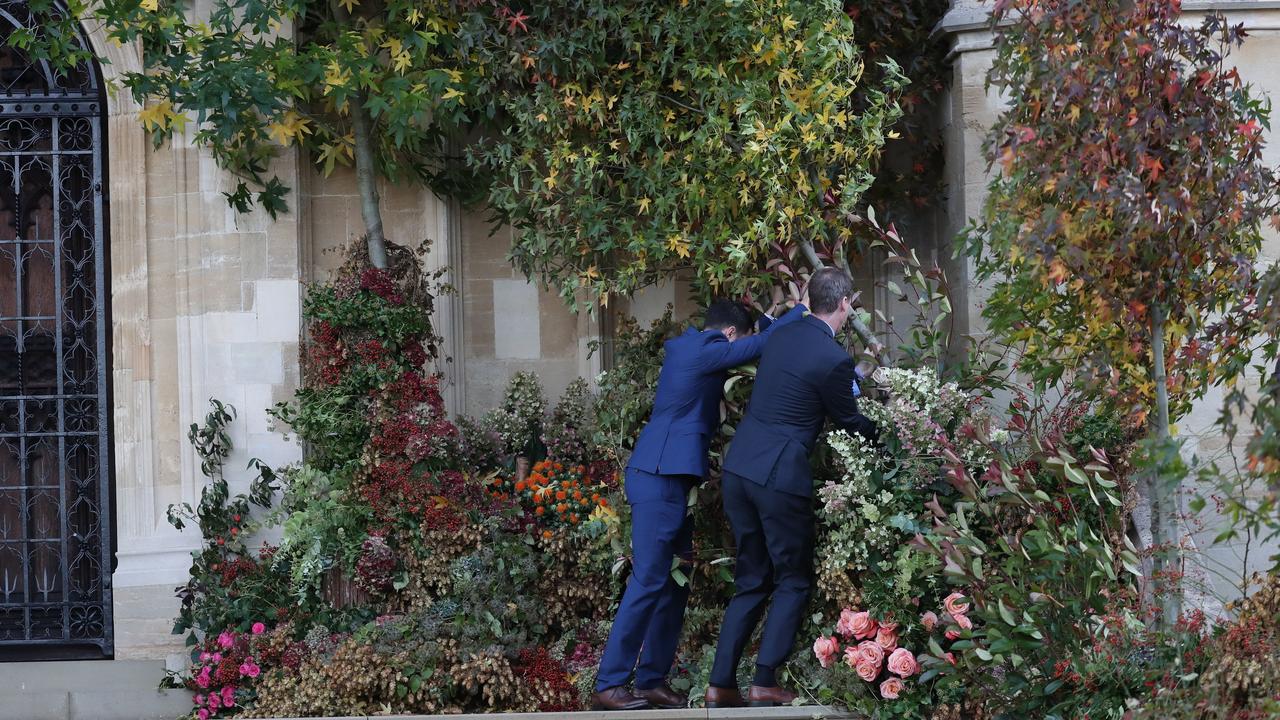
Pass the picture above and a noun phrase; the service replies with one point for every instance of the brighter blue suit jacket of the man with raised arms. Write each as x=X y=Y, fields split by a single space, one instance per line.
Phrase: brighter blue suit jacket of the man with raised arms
x=691 y=388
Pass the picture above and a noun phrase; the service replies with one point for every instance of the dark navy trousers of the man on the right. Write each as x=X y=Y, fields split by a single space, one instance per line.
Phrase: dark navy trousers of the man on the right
x=775 y=534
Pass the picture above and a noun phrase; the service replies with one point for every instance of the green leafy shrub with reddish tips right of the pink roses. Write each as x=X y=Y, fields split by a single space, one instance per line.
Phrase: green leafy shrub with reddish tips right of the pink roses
x=1039 y=568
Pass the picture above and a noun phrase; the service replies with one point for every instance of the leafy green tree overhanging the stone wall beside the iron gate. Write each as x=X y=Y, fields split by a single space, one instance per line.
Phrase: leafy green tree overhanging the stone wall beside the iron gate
x=374 y=84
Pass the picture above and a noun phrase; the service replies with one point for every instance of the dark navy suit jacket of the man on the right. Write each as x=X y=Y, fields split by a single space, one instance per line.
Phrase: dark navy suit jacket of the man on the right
x=804 y=379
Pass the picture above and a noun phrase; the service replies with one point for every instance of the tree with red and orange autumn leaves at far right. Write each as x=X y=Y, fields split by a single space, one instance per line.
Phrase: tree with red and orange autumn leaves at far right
x=1128 y=213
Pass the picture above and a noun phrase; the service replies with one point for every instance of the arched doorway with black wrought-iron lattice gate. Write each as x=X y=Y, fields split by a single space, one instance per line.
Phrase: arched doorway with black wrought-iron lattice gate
x=56 y=486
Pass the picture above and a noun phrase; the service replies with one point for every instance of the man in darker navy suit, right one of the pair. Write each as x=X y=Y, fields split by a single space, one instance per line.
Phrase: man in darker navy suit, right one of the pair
x=804 y=377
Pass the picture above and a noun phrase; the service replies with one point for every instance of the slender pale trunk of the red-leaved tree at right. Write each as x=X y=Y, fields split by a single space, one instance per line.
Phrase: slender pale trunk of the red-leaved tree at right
x=1164 y=499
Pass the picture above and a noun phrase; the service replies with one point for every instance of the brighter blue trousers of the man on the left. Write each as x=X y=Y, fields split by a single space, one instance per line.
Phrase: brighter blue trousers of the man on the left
x=647 y=628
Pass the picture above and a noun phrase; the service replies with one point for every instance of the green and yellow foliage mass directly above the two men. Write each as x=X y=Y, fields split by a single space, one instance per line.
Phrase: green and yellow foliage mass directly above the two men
x=652 y=136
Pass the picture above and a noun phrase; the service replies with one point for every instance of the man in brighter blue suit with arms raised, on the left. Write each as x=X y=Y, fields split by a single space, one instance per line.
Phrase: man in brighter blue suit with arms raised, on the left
x=670 y=459
